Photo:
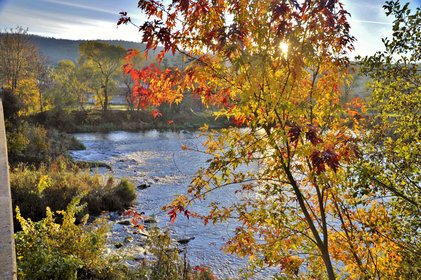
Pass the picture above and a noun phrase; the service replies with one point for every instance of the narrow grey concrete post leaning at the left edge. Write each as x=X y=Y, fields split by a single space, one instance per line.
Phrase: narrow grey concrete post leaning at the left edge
x=7 y=243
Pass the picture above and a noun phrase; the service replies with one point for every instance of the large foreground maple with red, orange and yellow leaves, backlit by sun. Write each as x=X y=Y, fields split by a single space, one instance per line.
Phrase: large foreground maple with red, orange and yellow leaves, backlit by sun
x=277 y=70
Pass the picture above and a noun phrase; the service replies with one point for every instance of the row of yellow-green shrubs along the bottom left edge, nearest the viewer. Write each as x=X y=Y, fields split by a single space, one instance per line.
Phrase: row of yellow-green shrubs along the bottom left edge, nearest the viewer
x=74 y=249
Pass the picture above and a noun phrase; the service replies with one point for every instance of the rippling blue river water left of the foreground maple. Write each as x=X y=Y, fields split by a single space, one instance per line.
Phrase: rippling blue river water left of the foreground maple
x=156 y=158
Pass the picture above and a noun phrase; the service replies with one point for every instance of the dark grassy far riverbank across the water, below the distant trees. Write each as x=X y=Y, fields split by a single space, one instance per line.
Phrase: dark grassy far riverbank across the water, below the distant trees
x=124 y=120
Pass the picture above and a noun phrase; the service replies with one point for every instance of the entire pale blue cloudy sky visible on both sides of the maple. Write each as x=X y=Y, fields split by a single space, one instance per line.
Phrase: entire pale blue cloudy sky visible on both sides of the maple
x=96 y=19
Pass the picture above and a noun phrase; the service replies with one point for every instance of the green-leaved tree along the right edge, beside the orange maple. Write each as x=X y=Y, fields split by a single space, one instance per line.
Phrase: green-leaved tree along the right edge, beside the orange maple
x=393 y=153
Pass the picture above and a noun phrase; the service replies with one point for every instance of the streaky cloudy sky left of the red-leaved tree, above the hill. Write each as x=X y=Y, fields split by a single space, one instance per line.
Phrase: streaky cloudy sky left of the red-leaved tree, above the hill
x=61 y=19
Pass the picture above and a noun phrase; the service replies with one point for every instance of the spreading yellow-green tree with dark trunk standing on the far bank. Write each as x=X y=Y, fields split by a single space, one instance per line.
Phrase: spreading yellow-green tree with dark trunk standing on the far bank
x=108 y=60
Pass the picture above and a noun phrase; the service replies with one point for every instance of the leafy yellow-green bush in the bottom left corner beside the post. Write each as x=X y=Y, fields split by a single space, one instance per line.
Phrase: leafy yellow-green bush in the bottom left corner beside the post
x=66 y=250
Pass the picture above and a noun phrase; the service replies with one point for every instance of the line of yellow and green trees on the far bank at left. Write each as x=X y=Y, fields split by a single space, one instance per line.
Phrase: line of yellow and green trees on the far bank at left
x=66 y=86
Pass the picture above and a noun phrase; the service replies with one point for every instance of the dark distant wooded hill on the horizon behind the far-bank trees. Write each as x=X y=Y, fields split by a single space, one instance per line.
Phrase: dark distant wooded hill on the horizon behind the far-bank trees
x=58 y=49
